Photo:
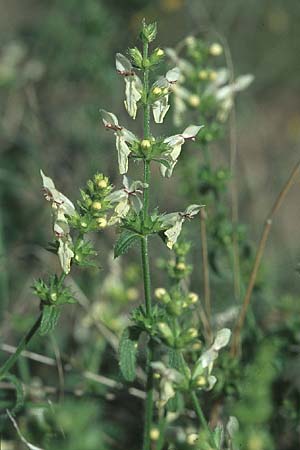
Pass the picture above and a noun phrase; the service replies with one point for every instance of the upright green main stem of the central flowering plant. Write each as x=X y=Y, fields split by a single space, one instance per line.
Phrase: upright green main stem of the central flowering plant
x=145 y=260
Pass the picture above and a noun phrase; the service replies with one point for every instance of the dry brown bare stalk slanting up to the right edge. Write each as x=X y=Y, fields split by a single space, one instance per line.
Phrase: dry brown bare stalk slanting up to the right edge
x=260 y=251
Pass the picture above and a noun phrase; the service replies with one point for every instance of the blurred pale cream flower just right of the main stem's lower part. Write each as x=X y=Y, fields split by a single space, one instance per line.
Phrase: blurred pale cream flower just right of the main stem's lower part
x=169 y=379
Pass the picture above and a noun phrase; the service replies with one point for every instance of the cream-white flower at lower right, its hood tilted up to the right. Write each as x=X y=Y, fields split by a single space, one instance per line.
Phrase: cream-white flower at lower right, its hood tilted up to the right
x=205 y=363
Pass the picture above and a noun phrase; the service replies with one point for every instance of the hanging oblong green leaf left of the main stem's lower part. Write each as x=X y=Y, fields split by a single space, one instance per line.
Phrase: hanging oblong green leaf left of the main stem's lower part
x=128 y=351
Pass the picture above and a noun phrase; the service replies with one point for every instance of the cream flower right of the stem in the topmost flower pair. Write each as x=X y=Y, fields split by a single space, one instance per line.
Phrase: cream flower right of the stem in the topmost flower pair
x=161 y=88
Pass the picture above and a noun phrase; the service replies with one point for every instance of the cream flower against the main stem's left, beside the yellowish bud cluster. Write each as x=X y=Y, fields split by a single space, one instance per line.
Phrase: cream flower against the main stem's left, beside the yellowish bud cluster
x=127 y=198
